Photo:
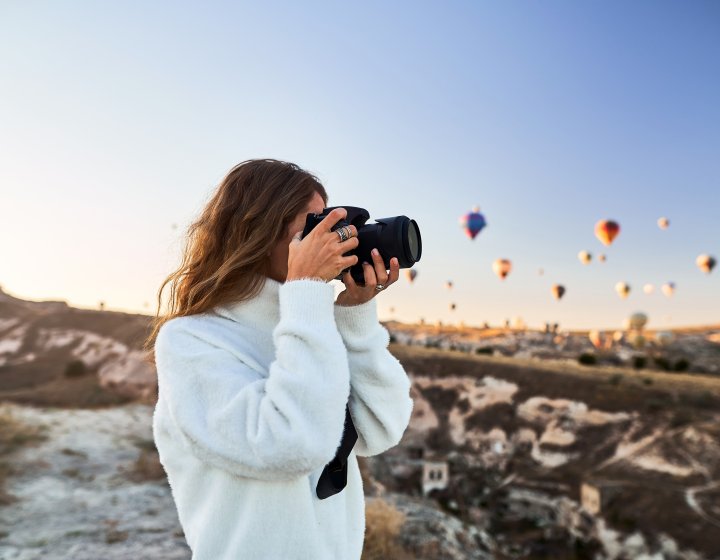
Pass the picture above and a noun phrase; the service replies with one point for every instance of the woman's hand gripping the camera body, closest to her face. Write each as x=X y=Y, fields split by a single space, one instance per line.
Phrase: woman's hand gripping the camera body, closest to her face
x=320 y=253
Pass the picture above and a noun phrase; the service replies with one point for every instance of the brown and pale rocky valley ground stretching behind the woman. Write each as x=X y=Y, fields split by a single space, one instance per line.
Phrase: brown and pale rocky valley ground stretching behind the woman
x=523 y=428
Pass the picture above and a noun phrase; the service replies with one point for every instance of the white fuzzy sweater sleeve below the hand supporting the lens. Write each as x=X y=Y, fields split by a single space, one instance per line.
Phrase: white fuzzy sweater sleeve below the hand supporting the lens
x=380 y=402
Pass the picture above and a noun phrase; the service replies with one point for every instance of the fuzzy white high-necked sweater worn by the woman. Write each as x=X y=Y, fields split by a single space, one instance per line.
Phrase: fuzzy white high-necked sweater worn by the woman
x=251 y=407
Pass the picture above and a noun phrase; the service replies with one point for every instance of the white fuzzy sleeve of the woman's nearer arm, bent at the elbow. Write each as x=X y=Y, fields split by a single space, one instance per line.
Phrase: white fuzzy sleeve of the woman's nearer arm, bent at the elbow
x=278 y=427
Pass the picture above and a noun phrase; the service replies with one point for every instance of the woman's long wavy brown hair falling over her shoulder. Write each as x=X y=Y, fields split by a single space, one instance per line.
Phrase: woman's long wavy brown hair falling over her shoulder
x=227 y=248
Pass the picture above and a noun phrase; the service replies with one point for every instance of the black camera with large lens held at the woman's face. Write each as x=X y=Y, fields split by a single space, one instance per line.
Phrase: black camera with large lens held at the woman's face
x=398 y=236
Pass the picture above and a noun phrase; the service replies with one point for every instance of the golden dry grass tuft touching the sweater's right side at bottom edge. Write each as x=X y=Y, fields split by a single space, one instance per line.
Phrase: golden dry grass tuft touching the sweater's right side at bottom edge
x=383 y=524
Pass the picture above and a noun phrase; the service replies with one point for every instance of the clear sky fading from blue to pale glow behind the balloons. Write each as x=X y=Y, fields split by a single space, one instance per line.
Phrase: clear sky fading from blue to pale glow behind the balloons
x=118 y=120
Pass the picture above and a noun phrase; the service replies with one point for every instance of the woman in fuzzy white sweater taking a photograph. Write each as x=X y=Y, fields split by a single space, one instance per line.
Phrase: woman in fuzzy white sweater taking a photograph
x=257 y=363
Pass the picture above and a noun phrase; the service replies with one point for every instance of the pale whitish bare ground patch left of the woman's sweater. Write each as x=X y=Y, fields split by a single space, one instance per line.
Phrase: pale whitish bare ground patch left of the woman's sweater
x=72 y=490
